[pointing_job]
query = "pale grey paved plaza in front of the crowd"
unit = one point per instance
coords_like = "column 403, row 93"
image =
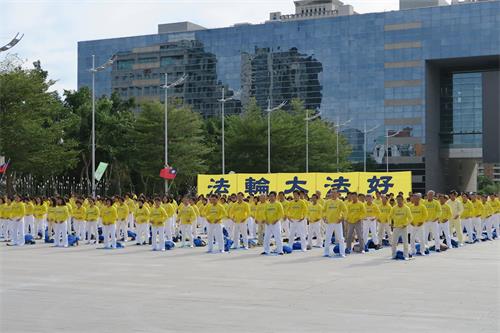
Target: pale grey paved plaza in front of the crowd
column 83, row 289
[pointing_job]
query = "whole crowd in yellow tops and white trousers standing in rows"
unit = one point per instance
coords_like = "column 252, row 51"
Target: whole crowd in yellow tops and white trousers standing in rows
column 340, row 224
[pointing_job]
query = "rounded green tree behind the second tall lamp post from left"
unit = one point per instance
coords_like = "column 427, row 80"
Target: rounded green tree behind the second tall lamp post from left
column 187, row 149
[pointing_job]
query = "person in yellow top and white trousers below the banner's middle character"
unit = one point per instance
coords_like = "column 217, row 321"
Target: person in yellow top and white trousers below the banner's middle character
column 296, row 212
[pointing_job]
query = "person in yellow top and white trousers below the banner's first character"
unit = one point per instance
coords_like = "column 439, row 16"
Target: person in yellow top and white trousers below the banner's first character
column 215, row 212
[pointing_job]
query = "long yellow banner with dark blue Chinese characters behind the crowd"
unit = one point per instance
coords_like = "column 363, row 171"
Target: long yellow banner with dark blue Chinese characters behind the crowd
column 361, row 182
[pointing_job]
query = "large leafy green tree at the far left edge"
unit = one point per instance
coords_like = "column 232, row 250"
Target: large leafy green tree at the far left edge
column 34, row 124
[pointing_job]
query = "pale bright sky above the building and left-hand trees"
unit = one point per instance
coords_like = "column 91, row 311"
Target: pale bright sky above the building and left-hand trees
column 52, row 28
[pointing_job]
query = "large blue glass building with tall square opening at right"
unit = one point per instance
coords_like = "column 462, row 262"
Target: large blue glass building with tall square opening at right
column 426, row 76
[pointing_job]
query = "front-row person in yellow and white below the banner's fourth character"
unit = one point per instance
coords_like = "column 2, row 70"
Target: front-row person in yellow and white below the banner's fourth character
column 334, row 212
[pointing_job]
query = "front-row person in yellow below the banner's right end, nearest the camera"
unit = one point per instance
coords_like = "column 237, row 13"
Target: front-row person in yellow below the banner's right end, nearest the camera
column 401, row 217
